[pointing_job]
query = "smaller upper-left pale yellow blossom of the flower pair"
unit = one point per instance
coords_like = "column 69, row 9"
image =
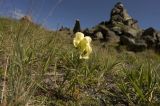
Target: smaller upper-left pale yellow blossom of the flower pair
column 78, row 37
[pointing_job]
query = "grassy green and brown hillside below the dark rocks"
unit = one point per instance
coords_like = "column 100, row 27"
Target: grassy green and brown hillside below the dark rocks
column 40, row 67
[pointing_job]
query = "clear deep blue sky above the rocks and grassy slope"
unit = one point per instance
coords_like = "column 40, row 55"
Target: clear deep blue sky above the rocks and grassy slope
column 54, row 13
